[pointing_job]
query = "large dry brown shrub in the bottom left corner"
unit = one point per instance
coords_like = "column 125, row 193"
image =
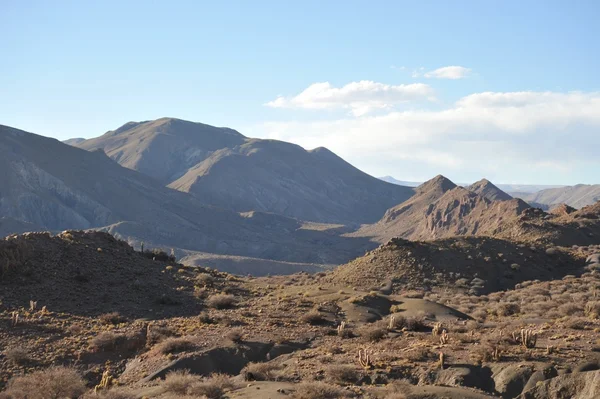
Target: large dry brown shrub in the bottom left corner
column 51, row 383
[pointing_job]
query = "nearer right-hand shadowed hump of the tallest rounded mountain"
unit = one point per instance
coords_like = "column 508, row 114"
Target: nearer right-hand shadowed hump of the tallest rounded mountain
column 283, row 178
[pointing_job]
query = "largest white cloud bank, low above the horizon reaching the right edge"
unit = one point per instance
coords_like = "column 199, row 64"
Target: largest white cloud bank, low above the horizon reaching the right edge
column 517, row 136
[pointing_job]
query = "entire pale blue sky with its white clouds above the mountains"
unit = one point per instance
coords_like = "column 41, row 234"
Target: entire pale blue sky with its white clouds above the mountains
column 369, row 80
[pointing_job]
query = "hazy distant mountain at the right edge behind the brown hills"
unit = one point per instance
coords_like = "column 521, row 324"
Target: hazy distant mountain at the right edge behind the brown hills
column 576, row 196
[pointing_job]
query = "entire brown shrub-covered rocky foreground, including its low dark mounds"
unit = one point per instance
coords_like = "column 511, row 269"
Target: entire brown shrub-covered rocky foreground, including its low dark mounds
column 85, row 315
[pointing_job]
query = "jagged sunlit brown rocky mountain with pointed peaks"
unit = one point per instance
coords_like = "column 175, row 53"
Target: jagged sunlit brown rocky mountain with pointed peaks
column 440, row 209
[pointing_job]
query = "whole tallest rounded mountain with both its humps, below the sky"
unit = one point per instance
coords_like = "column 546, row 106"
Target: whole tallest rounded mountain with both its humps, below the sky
column 221, row 167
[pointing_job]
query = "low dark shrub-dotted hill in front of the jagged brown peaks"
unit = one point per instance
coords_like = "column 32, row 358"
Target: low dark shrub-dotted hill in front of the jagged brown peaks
column 476, row 264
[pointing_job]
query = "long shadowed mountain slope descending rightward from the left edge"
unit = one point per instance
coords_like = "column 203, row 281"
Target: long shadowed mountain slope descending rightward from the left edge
column 57, row 187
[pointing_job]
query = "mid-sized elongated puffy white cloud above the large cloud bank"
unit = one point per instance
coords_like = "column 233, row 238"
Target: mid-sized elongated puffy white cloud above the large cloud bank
column 360, row 98
